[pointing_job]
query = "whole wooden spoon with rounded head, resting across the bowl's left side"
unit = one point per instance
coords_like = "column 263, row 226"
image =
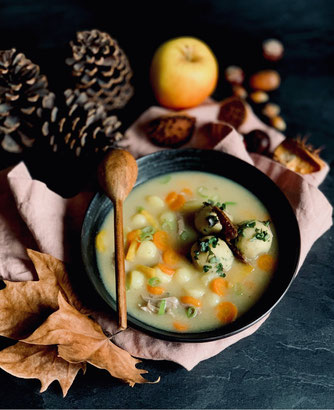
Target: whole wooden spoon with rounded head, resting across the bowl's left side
column 117, row 175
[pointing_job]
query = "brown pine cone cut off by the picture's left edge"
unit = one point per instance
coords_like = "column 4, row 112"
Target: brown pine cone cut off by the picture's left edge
column 22, row 89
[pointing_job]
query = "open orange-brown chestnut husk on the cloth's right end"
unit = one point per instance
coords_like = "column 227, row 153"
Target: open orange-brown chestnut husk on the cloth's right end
column 298, row 156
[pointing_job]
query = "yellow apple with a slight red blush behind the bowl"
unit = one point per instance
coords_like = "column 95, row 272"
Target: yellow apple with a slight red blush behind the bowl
column 183, row 73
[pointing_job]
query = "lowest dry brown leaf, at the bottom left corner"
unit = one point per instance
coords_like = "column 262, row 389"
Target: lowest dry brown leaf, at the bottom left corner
column 39, row 362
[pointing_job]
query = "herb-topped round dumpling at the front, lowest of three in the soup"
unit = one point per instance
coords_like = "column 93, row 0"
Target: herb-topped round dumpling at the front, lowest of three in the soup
column 211, row 254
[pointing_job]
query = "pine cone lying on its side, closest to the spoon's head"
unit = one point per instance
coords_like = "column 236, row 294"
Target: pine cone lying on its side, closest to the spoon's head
column 81, row 126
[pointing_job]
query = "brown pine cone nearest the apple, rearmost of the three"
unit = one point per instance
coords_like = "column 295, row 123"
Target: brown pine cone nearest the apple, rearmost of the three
column 101, row 68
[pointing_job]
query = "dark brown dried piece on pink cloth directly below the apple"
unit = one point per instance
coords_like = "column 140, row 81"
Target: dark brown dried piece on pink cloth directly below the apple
column 171, row 130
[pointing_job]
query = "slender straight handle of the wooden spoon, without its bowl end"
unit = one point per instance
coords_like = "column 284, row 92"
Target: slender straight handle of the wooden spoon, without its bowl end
column 120, row 266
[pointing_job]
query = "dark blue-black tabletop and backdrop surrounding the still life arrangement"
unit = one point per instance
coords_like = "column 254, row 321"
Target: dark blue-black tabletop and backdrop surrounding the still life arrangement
column 289, row 361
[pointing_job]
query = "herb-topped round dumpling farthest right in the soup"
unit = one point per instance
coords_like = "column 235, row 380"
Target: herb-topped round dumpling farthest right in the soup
column 254, row 237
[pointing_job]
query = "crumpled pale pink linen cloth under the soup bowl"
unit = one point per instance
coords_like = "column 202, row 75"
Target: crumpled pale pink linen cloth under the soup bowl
column 31, row 215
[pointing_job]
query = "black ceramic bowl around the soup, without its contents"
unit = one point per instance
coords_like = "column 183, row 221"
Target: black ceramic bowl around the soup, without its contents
column 215, row 162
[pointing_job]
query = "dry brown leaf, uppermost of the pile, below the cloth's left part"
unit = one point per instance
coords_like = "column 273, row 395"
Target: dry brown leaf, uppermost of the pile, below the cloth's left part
column 25, row 305
